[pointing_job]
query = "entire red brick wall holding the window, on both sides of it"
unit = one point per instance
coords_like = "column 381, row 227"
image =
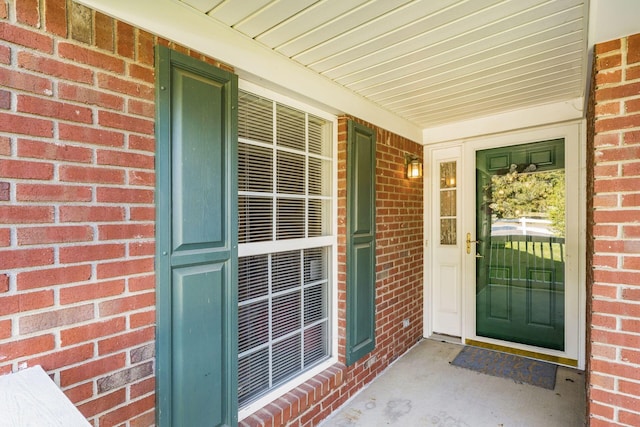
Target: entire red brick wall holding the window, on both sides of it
column 77, row 221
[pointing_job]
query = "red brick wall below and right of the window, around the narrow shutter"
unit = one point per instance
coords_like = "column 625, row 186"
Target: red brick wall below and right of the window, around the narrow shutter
column 399, row 296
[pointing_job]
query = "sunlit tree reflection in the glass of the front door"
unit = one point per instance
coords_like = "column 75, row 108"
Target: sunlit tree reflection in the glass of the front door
column 522, row 192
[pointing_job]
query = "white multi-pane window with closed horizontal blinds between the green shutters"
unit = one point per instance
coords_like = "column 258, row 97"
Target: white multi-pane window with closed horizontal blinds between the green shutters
column 287, row 241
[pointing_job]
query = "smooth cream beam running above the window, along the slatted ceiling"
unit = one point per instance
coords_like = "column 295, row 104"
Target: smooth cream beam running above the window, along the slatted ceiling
column 183, row 24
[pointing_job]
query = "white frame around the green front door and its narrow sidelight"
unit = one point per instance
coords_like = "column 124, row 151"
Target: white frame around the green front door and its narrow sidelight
column 575, row 297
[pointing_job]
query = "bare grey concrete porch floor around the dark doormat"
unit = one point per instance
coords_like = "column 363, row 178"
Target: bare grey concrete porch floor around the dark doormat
column 423, row 389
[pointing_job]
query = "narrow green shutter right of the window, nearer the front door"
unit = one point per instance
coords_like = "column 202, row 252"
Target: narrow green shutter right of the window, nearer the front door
column 361, row 241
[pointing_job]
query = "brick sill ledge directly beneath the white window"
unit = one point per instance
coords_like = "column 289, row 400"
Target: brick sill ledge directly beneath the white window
column 291, row 405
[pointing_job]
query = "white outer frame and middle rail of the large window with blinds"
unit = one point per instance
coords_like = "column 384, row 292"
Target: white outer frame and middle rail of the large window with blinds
column 330, row 240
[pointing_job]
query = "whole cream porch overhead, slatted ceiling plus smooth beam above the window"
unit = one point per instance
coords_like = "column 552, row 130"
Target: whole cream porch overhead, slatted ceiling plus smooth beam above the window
column 405, row 65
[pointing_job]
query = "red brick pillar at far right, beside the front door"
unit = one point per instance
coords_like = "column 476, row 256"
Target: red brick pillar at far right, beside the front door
column 614, row 363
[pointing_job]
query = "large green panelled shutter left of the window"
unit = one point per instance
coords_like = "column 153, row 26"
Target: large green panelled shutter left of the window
column 196, row 242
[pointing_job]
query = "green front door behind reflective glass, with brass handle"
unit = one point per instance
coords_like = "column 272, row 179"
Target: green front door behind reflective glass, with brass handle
column 520, row 231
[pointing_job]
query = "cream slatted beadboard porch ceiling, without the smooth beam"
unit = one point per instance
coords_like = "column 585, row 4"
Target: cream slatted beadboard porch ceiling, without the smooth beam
column 431, row 62
